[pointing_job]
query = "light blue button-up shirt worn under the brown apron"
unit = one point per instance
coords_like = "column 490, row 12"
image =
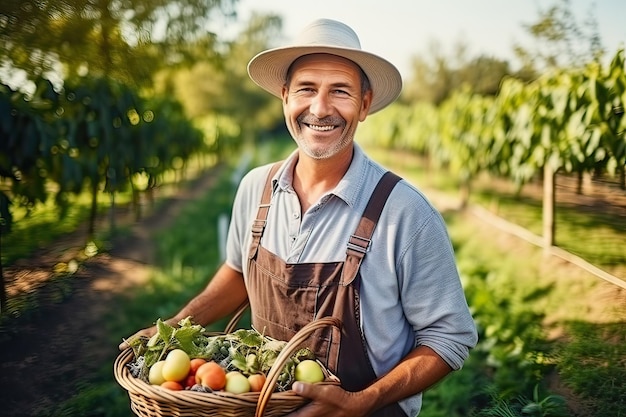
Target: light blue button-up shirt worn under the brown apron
column 411, row 293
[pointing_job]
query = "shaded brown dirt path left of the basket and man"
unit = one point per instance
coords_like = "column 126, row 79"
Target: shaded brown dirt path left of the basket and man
column 63, row 339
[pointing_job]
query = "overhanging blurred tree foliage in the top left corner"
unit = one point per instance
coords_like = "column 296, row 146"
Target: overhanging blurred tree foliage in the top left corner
column 127, row 40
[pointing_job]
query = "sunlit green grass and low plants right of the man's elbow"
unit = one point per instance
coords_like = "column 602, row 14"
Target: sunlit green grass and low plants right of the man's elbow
column 534, row 321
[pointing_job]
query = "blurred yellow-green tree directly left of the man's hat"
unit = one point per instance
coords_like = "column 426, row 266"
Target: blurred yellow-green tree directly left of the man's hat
column 218, row 92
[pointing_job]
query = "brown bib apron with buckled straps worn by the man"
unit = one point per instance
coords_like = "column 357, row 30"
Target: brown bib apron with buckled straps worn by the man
column 284, row 297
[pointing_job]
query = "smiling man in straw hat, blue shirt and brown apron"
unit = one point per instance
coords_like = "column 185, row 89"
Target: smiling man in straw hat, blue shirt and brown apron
column 305, row 241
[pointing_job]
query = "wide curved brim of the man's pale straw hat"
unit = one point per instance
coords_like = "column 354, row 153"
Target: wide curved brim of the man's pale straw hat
column 268, row 69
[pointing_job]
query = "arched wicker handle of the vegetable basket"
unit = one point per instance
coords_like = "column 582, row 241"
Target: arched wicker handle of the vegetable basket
column 296, row 341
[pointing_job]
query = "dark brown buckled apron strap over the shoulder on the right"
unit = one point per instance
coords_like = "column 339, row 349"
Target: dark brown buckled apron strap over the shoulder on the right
column 359, row 242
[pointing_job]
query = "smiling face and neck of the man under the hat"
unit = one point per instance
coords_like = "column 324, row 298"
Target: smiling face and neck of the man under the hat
column 323, row 103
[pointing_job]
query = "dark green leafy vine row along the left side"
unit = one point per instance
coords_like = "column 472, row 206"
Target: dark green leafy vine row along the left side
column 94, row 135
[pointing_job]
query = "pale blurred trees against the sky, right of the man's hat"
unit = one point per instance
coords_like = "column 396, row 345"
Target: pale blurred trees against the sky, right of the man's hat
column 559, row 40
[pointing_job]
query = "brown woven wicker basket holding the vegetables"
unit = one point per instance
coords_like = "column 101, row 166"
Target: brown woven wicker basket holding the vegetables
column 153, row 401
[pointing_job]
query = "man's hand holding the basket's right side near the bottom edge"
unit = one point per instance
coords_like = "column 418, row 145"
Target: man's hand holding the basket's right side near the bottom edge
column 330, row 400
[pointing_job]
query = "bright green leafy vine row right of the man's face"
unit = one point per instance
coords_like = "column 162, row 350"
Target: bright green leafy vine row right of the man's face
column 570, row 119
